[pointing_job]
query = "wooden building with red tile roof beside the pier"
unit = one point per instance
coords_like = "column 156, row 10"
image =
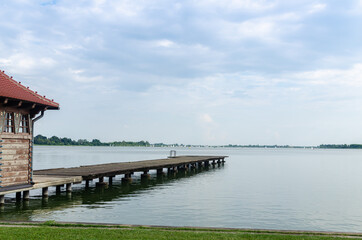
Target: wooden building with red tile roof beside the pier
column 19, row 109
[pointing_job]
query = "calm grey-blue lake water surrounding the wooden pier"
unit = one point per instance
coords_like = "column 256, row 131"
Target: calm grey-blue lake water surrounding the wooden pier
column 301, row 189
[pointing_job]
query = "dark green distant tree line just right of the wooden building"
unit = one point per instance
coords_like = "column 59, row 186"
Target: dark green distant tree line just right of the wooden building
column 42, row 140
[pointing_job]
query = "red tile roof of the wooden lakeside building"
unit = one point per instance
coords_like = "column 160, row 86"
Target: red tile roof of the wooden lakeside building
column 12, row 89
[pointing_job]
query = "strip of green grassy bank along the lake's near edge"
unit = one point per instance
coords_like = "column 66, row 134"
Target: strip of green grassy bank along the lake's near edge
column 52, row 230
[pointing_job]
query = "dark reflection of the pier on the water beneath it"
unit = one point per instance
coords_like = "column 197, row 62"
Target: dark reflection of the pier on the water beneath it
column 94, row 197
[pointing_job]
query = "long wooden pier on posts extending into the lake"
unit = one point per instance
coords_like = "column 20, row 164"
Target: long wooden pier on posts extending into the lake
column 58, row 177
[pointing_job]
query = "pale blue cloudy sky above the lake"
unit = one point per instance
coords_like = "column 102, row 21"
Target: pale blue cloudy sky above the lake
column 193, row 72
